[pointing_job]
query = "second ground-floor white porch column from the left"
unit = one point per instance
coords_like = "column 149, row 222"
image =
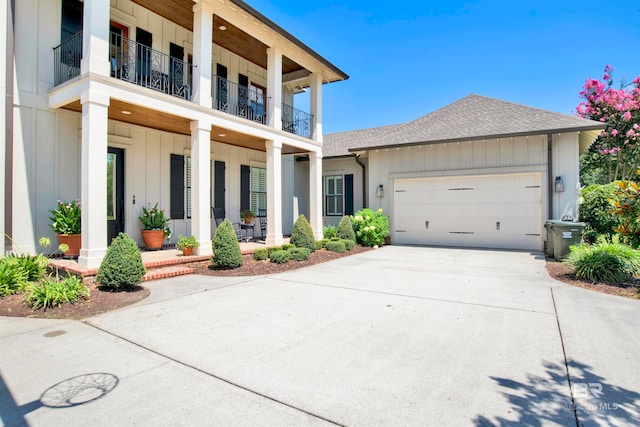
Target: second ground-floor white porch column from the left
column 200, row 187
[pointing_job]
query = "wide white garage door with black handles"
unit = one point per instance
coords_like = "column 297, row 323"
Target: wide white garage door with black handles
column 496, row 211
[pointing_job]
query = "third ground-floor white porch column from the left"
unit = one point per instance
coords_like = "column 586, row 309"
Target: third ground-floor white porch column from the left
column 274, row 193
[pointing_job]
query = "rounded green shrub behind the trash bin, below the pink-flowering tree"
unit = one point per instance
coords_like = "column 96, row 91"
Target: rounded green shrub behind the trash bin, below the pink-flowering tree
column 595, row 208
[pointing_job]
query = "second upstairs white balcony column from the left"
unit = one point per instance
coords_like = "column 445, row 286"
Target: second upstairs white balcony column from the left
column 202, row 36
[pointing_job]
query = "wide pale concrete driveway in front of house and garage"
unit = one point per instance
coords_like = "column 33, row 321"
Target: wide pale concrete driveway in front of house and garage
column 396, row 336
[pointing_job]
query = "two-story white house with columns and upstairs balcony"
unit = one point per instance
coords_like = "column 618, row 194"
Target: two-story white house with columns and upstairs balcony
column 127, row 103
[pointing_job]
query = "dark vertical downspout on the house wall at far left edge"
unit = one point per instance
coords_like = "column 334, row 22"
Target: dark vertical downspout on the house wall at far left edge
column 8, row 147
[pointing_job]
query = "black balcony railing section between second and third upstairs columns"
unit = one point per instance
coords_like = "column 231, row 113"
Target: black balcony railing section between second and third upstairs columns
column 238, row 100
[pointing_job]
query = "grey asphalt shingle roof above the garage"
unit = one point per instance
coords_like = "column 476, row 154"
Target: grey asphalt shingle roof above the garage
column 472, row 117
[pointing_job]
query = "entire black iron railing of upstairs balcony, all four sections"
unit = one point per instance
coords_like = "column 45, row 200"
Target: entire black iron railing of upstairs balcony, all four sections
column 139, row 64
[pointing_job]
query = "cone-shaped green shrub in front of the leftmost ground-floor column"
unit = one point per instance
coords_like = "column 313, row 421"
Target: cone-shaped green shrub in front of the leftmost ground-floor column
column 122, row 265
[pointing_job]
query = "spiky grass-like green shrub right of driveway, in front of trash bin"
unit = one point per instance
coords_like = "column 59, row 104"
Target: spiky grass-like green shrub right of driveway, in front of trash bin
column 604, row 261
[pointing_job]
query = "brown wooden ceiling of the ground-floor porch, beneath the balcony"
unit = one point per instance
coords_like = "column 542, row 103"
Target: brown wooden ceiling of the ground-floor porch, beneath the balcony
column 159, row 120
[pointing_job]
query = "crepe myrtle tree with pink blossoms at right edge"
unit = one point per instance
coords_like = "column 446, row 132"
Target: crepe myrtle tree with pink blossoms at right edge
column 615, row 154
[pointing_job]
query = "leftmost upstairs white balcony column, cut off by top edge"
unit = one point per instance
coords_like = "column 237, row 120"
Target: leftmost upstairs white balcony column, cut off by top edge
column 95, row 37
